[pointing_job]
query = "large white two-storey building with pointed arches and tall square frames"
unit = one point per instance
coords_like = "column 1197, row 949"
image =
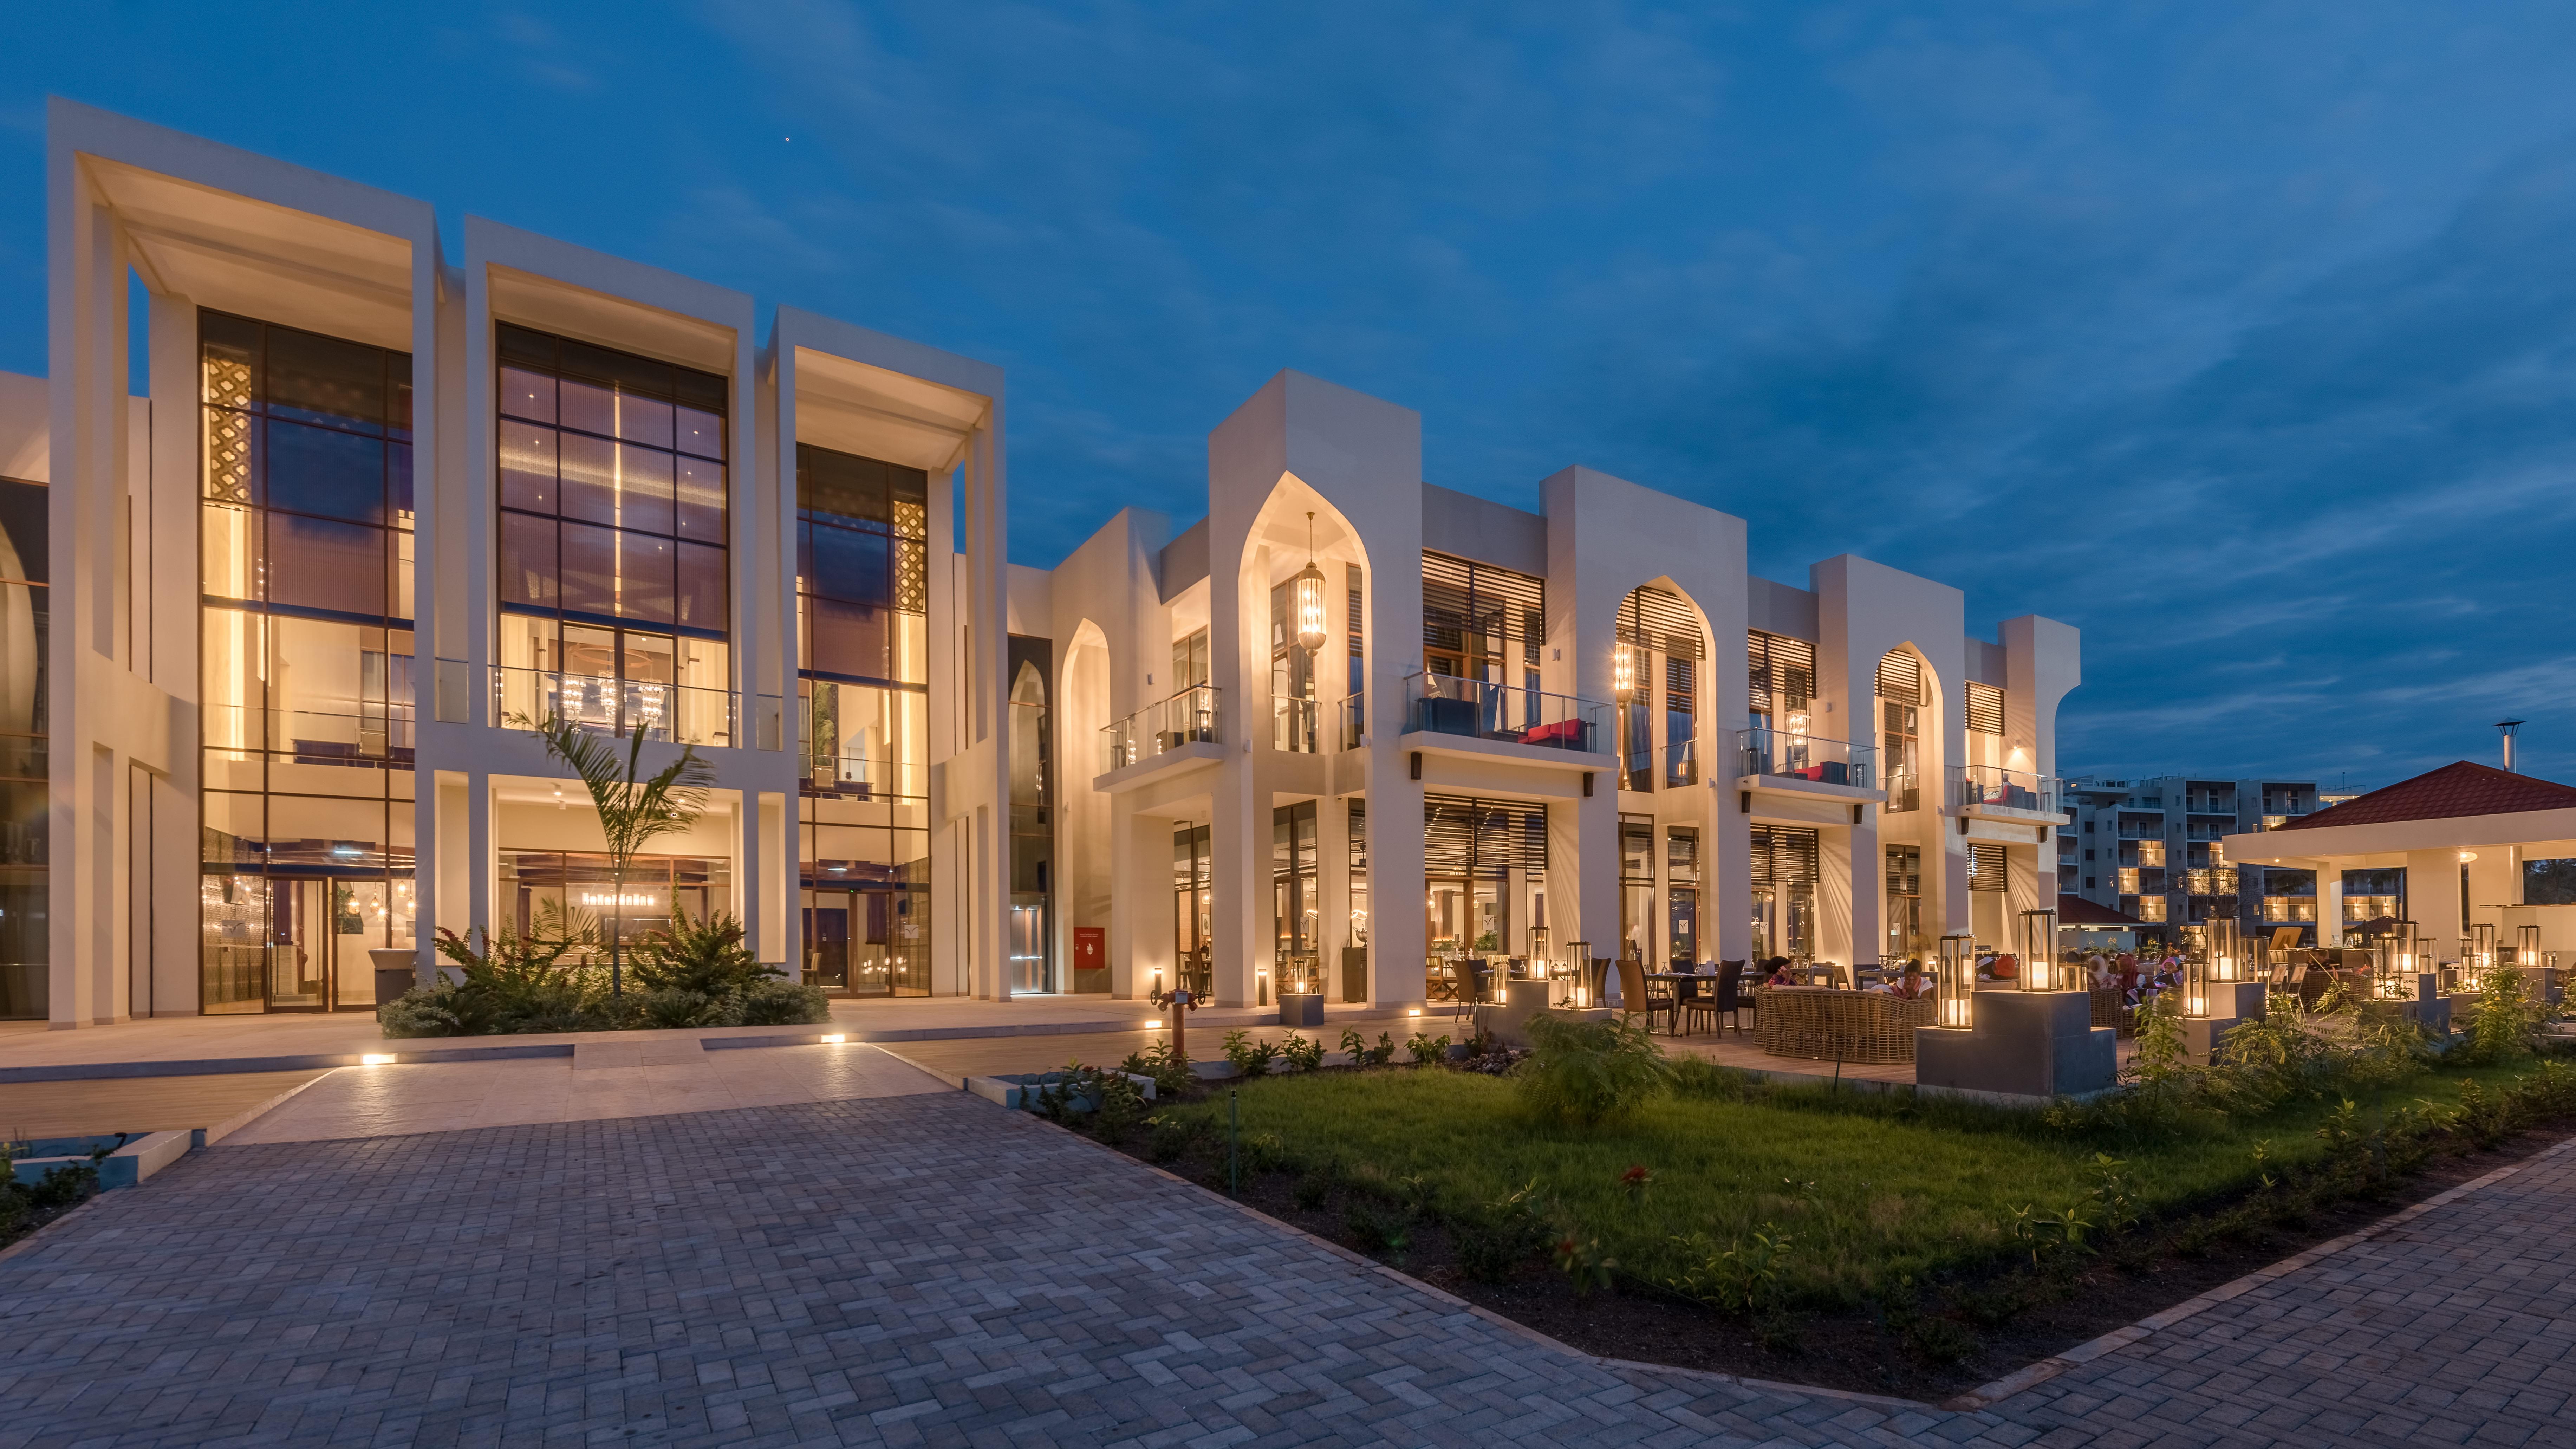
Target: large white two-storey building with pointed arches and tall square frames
column 267, row 628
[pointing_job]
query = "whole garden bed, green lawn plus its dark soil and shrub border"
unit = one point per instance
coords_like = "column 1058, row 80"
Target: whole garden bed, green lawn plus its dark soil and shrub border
column 1910, row 1265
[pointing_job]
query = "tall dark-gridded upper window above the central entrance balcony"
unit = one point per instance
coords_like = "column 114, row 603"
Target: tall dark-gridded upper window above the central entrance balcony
column 614, row 548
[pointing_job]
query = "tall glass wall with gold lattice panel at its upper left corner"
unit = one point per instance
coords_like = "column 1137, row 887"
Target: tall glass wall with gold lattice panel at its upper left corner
column 305, row 666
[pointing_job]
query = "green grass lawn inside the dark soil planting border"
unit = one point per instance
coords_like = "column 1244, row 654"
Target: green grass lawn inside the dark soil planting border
column 1869, row 1187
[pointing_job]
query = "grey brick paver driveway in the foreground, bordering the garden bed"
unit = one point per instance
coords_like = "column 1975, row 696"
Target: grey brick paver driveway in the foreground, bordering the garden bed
column 931, row 1272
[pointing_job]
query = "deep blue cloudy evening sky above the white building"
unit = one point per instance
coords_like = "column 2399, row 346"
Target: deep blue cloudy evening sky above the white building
column 2235, row 334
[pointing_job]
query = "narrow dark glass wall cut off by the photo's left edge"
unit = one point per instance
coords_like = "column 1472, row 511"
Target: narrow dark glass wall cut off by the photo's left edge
column 24, row 798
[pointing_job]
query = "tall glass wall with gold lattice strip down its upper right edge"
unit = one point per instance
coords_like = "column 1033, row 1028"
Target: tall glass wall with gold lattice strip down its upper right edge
column 864, row 700
